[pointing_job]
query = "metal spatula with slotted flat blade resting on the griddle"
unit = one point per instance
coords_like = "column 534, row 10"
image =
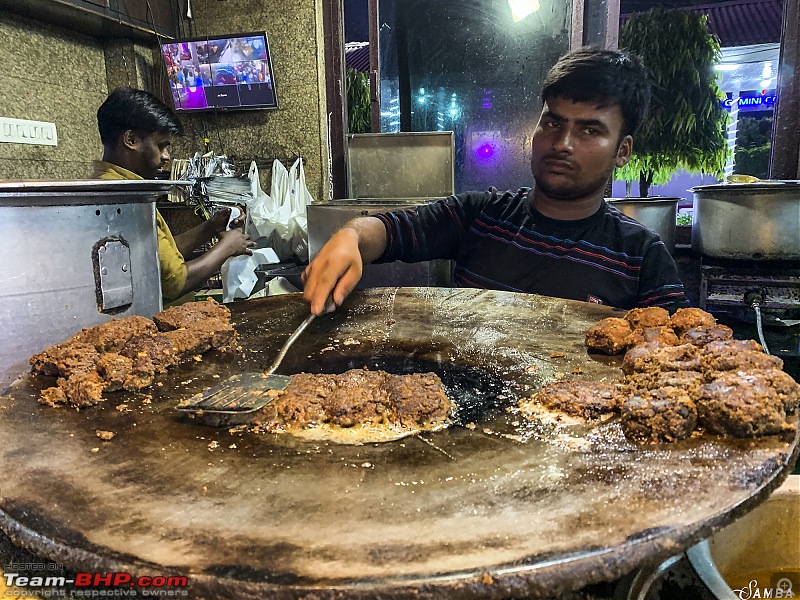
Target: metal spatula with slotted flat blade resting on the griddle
column 232, row 401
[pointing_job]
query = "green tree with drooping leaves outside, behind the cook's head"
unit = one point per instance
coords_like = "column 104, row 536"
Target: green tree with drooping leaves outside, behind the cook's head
column 686, row 125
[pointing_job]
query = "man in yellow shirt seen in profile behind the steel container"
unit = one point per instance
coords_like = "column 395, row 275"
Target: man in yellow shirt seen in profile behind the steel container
column 136, row 129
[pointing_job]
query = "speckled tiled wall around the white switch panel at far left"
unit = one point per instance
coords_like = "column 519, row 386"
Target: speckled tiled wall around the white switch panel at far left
column 55, row 75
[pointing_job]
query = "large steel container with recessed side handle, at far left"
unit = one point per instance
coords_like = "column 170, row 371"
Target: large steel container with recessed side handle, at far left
column 74, row 254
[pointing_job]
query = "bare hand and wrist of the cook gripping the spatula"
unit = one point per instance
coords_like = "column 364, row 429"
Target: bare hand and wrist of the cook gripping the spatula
column 338, row 266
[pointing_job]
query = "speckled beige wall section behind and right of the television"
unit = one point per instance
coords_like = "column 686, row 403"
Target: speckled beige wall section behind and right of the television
column 294, row 28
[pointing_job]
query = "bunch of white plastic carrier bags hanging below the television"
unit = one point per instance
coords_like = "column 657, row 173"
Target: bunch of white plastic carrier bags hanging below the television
column 279, row 220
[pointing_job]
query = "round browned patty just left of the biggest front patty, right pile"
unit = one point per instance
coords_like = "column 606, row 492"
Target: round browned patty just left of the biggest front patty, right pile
column 659, row 415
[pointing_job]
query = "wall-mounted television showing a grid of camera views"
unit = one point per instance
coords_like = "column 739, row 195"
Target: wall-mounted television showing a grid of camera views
column 221, row 72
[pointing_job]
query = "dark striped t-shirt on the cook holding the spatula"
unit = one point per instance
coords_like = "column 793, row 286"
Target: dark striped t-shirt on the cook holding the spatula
column 500, row 242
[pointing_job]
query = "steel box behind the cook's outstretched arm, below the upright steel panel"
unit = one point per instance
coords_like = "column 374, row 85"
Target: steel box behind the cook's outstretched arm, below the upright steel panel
column 324, row 218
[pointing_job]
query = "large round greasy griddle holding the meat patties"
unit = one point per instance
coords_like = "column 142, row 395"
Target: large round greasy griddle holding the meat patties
column 504, row 508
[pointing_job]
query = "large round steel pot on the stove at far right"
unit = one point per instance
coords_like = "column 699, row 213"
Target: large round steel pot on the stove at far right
column 747, row 220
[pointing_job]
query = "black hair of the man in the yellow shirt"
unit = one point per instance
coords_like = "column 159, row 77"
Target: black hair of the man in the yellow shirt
column 137, row 110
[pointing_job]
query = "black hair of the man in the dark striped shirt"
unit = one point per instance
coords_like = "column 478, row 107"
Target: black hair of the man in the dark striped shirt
column 605, row 78
